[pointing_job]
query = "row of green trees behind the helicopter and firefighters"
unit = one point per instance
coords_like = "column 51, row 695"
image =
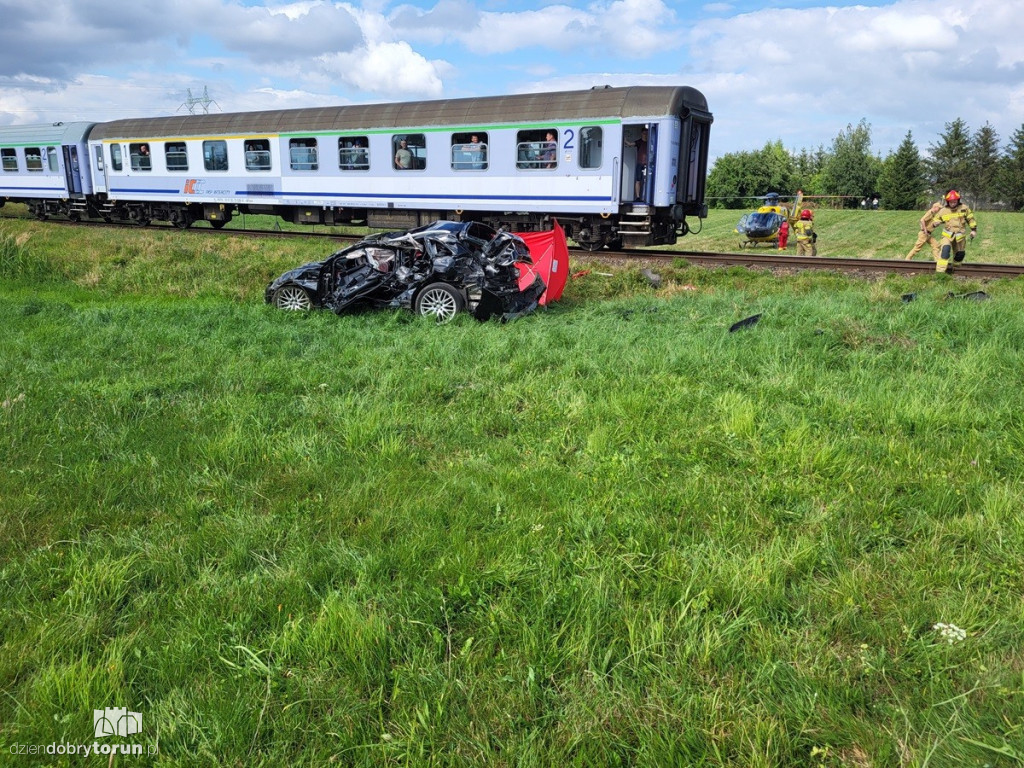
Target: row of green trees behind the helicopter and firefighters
column 987, row 177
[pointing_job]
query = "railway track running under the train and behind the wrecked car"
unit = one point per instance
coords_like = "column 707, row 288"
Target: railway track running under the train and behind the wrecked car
column 704, row 259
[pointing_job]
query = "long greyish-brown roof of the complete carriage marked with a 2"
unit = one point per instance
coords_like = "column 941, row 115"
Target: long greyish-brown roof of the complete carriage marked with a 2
column 635, row 102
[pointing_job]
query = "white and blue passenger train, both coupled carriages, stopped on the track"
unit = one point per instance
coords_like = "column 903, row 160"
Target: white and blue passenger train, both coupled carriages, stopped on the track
column 515, row 161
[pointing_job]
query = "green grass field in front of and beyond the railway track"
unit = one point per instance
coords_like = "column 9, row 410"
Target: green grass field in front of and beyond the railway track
column 610, row 534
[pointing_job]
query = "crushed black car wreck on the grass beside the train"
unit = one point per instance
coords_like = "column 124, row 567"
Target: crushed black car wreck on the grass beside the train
column 439, row 271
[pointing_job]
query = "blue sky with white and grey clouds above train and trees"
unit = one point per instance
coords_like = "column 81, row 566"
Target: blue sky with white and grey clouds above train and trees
column 798, row 72
